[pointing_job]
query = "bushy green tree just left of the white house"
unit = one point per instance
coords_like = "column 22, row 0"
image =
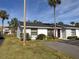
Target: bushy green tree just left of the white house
column 13, row 24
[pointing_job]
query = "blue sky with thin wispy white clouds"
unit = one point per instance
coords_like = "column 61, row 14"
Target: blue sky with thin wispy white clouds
column 39, row 10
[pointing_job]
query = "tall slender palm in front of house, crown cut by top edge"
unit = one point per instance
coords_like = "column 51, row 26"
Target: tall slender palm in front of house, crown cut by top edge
column 54, row 3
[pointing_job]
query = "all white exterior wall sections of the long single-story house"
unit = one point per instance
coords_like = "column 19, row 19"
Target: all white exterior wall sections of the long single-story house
column 44, row 31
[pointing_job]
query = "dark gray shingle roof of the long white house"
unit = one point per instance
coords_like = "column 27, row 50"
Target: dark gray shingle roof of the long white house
column 44, row 24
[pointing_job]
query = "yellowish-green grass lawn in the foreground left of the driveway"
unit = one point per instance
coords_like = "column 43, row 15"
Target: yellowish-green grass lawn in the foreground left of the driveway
column 12, row 48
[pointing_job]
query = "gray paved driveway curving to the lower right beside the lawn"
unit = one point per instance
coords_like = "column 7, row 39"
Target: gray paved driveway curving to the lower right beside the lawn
column 70, row 50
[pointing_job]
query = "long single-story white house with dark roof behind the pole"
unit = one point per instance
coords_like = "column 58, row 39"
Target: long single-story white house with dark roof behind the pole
column 34, row 29
